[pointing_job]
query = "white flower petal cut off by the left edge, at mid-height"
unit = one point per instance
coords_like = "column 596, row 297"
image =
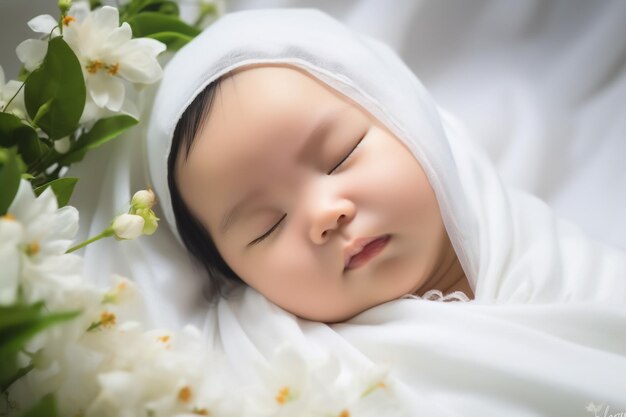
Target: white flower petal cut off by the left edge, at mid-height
column 10, row 237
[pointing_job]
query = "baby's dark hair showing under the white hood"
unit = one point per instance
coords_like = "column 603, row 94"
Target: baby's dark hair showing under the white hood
column 194, row 235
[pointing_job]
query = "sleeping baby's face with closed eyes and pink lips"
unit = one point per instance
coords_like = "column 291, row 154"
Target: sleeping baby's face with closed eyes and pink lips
column 309, row 199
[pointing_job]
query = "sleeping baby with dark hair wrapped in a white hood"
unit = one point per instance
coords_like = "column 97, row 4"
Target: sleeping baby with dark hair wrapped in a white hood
column 306, row 161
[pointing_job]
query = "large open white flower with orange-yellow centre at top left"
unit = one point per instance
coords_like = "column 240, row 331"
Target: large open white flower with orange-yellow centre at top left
column 108, row 54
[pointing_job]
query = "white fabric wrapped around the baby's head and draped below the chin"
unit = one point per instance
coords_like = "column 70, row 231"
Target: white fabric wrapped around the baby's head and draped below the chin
column 545, row 335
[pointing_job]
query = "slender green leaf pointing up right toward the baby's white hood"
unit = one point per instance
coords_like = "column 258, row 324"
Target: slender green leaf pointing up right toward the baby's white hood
column 102, row 131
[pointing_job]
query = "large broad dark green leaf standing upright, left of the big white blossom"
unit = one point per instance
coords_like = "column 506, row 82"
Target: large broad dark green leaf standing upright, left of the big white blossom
column 58, row 81
